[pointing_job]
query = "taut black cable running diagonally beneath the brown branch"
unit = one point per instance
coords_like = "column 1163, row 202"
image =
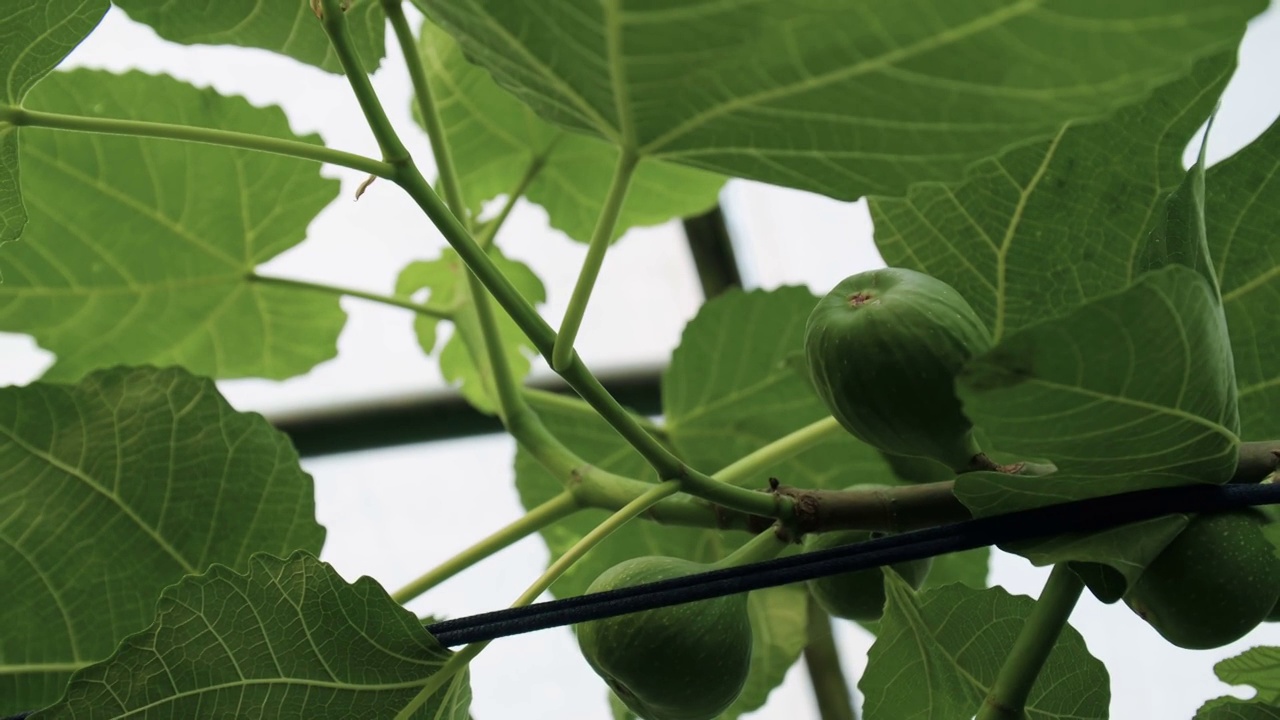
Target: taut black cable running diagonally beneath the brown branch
column 1085, row 516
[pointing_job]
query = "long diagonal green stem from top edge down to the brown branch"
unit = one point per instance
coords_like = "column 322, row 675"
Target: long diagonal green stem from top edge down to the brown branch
column 524, row 315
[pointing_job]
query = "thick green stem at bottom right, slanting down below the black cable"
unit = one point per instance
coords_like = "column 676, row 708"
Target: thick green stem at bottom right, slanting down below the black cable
column 1008, row 698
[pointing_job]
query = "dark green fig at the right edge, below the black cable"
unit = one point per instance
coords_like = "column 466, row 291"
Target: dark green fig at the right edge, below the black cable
column 1218, row 581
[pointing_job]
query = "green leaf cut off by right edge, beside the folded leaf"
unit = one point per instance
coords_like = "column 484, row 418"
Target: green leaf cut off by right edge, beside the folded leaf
column 1244, row 216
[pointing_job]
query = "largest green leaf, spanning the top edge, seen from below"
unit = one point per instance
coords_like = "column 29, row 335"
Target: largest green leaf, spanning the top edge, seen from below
column 840, row 97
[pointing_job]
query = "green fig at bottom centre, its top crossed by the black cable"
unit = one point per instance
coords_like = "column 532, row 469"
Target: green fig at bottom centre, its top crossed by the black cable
column 682, row 663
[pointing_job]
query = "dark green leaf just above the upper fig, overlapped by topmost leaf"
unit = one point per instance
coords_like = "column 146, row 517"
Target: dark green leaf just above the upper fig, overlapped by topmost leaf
column 1048, row 227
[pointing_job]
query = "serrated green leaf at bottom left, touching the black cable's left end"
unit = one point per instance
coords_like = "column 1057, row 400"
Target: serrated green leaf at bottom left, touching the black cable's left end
column 287, row 640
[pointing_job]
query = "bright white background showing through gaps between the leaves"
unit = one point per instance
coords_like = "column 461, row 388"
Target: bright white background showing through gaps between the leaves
column 386, row 512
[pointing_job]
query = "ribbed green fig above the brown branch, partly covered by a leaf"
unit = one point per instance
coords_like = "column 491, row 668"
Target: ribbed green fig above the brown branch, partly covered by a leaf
column 884, row 349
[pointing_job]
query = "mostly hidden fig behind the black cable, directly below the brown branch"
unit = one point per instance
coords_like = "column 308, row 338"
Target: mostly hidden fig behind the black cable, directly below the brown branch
column 858, row 595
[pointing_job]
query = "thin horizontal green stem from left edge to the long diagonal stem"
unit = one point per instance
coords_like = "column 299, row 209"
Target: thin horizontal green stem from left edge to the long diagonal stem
column 22, row 117
